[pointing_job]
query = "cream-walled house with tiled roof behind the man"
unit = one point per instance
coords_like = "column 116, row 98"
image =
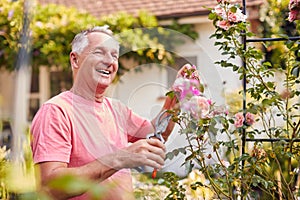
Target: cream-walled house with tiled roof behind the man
column 143, row 91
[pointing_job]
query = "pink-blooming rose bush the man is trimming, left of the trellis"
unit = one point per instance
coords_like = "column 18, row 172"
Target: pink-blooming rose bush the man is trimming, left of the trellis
column 200, row 119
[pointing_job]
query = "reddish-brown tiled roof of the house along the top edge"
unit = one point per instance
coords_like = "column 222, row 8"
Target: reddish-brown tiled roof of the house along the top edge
column 162, row 9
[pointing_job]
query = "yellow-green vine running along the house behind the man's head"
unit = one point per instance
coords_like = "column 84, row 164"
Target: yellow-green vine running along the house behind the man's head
column 53, row 28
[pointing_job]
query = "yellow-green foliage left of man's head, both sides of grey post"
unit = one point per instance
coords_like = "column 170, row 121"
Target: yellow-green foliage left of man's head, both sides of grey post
column 52, row 28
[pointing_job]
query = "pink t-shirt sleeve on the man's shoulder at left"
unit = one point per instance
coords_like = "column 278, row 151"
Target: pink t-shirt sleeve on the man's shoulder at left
column 51, row 139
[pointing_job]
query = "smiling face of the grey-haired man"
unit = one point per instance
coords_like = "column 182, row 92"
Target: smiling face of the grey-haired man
column 98, row 63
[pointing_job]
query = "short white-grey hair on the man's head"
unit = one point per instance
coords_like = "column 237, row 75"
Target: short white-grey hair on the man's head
column 80, row 40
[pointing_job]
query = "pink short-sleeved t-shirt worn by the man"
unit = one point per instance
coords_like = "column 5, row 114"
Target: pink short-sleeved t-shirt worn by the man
column 74, row 130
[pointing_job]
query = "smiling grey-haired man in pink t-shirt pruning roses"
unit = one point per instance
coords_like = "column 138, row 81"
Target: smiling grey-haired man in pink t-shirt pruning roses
column 82, row 132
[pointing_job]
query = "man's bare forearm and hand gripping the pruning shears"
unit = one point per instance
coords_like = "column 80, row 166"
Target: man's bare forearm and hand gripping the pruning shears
column 146, row 152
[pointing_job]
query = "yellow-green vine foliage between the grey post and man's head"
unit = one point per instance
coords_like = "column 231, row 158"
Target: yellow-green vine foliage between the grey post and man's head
column 53, row 28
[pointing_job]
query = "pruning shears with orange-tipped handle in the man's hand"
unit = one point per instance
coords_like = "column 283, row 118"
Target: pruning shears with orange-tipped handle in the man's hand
column 161, row 125
